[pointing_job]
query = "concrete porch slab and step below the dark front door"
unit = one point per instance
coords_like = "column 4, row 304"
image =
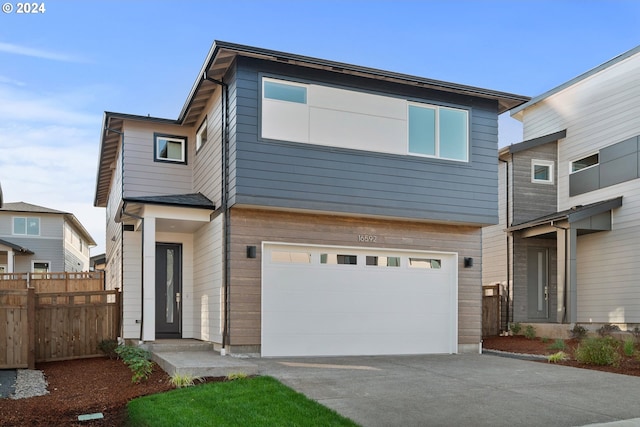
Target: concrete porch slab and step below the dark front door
column 200, row 363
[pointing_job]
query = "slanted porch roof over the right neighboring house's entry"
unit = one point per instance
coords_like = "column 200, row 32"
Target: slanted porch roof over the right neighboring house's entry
column 586, row 219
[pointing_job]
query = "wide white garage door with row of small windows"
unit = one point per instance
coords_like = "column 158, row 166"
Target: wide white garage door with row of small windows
column 323, row 301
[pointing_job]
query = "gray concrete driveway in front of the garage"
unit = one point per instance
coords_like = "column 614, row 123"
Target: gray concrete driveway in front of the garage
column 459, row 390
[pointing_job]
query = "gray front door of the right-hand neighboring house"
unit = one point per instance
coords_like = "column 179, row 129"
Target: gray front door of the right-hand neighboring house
column 538, row 283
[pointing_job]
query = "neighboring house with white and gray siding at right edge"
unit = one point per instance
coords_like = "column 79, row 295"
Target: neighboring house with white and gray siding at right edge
column 571, row 190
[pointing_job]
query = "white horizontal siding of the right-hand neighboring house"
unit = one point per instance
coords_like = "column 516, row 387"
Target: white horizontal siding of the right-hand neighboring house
column 598, row 112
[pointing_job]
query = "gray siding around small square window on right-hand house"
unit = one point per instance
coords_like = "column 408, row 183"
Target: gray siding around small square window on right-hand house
column 533, row 200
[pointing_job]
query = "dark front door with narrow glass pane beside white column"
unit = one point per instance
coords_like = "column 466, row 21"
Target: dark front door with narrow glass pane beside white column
column 168, row 290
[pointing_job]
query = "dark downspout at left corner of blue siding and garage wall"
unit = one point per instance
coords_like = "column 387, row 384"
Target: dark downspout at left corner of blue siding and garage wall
column 226, row 230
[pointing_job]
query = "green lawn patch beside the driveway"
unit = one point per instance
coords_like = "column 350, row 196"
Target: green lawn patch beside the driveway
column 259, row 401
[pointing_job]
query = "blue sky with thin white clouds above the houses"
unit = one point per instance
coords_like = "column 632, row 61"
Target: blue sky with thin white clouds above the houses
column 61, row 69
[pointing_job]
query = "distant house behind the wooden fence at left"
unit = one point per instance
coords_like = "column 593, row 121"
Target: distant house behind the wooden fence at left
column 38, row 240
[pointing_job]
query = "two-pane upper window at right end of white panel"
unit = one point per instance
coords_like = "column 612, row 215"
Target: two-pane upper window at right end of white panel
column 438, row 132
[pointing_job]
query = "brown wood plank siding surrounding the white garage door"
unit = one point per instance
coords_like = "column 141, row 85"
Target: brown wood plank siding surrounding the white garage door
column 251, row 227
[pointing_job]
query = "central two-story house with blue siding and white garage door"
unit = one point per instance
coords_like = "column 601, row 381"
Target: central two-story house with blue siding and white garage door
column 299, row 206
